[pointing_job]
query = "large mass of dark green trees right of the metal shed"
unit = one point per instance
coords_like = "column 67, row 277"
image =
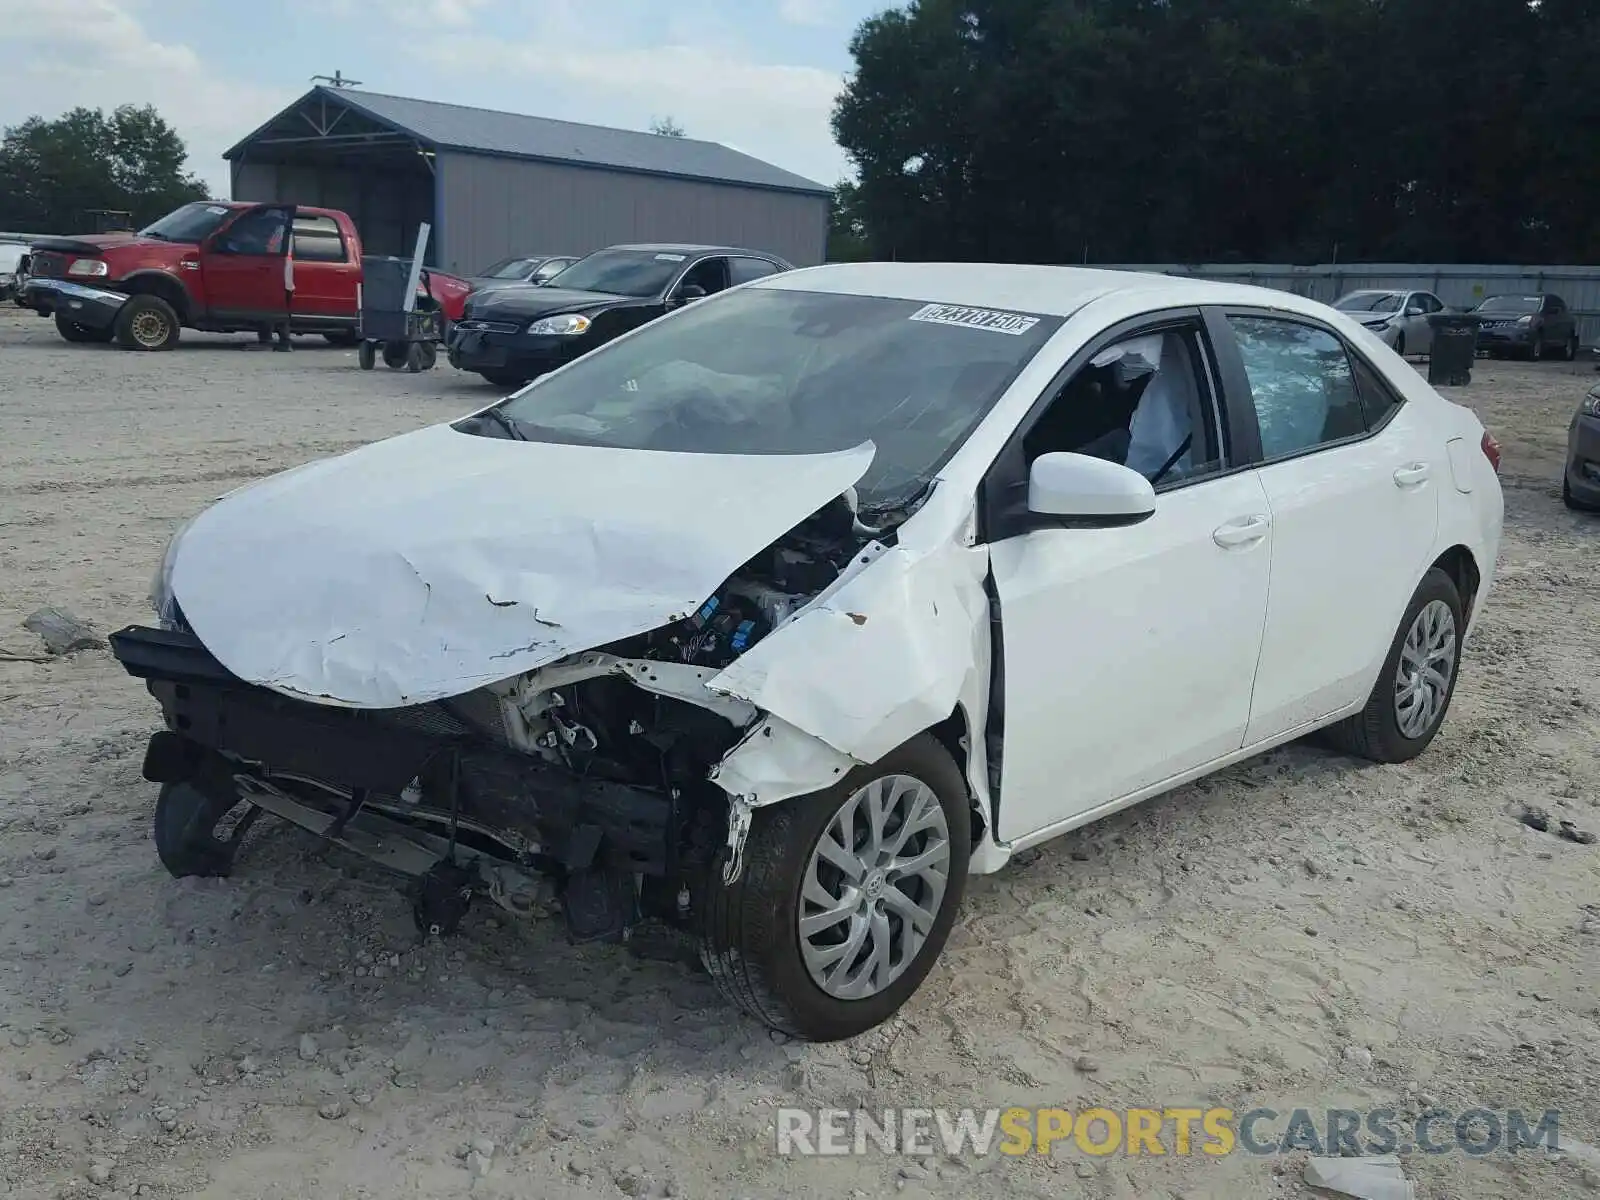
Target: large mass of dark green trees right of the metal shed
column 1214, row 130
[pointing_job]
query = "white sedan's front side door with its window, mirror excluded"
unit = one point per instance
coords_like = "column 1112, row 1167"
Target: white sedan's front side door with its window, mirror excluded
column 1129, row 654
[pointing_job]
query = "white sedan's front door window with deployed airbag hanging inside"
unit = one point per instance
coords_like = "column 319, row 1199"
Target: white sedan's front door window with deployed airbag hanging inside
column 1145, row 402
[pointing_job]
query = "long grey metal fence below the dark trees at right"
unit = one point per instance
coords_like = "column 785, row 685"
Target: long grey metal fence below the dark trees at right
column 1460, row 286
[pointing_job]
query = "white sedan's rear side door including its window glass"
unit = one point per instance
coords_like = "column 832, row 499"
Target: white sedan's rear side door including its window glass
column 1353, row 482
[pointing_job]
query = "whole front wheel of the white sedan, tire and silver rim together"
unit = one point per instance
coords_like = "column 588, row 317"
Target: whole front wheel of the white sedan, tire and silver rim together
column 831, row 926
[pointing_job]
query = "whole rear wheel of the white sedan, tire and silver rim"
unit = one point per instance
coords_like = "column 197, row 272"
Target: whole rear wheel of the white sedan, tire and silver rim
column 1417, row 682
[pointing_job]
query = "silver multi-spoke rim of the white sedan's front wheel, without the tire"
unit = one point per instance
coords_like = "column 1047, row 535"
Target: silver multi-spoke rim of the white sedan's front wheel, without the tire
column 874, row 887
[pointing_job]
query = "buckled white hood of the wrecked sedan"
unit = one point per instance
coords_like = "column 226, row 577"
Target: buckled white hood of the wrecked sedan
column 438, row 562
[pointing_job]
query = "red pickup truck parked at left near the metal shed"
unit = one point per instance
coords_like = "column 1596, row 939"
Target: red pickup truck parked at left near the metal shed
column 214, row 266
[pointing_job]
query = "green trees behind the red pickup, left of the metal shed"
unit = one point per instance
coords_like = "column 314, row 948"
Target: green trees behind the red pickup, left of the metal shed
column 55, row 172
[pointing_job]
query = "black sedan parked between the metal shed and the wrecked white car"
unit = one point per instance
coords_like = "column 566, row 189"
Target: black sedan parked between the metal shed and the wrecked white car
column 516, row 334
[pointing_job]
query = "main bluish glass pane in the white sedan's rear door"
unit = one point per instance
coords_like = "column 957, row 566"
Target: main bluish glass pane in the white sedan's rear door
column 1302, row 385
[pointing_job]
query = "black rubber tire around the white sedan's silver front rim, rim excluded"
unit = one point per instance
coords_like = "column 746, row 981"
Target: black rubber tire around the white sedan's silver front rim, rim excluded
column 750, row 935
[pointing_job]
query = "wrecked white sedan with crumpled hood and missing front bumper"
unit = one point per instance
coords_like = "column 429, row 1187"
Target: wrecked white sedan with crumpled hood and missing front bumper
column 777, row 618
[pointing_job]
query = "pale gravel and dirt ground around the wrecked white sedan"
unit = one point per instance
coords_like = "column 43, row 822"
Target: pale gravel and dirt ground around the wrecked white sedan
column 1297, row 932
